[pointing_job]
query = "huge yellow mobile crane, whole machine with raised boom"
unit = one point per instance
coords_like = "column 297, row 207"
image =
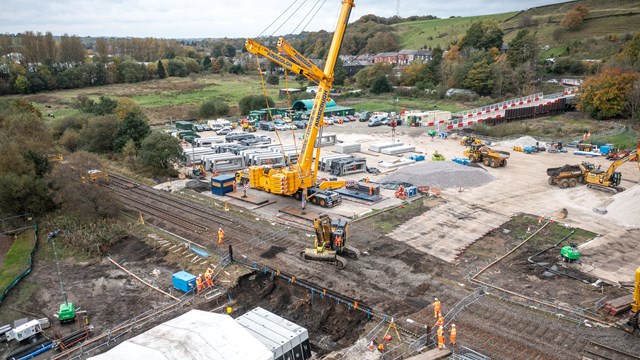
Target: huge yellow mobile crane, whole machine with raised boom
column 300, row 179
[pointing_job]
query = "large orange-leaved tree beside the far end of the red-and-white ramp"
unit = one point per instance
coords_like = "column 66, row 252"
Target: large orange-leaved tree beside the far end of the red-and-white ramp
column 606, row 95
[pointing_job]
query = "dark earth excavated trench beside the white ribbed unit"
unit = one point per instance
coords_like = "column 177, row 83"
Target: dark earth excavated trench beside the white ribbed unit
column 331, row 326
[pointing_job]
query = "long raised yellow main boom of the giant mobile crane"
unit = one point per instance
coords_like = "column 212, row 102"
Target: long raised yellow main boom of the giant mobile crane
column 322, row 96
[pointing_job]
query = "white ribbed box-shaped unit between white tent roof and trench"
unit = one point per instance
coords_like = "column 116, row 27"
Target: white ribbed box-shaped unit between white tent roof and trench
column 287, row 340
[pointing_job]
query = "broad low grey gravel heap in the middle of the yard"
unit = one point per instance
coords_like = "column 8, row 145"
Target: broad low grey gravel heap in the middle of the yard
column 443, row 175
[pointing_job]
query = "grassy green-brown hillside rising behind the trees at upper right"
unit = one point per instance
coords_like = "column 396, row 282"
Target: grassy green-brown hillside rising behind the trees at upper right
column 599, row 36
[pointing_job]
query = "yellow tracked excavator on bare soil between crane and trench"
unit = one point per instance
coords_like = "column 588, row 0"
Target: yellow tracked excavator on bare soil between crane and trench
column 330, row 242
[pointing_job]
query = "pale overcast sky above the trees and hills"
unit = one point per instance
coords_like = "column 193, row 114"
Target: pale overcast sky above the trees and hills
column 216, row 18
